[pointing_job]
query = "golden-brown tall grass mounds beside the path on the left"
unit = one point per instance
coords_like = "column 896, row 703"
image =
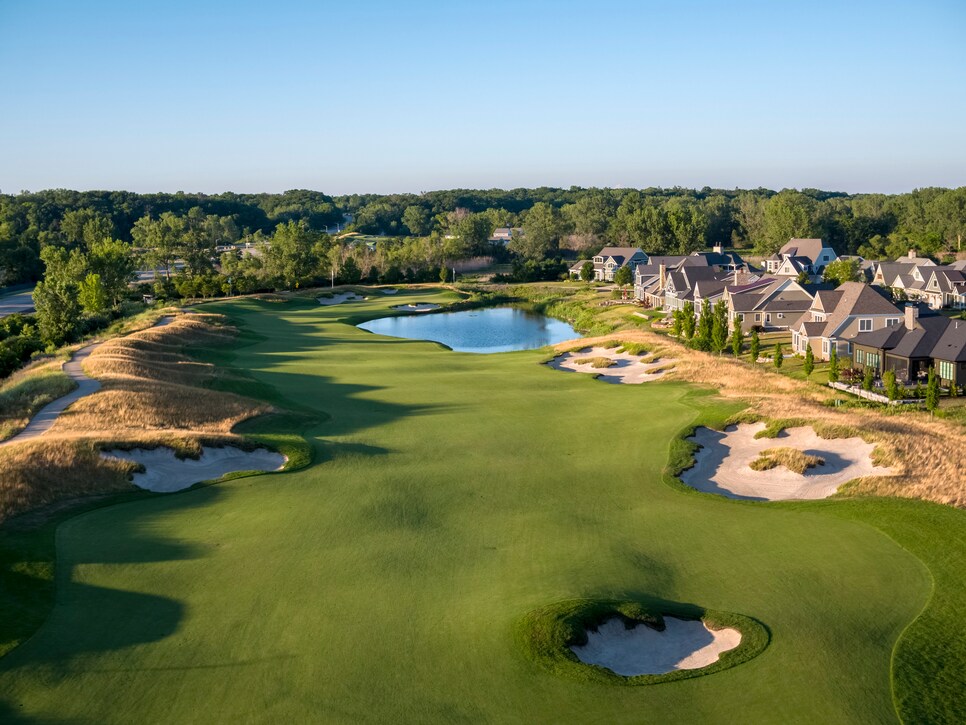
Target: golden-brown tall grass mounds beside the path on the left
column 153, row 393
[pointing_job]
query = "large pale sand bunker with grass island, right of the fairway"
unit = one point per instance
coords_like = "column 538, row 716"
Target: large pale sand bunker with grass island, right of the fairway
column 723, row 464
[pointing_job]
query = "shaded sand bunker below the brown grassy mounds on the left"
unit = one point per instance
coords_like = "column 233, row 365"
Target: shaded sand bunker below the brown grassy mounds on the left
column 164, row 472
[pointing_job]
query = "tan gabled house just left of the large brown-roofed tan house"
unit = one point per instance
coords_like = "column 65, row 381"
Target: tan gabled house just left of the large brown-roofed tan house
column 772, row 303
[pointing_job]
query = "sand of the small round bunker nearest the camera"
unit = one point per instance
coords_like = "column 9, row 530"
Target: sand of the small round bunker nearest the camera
column 685, row 644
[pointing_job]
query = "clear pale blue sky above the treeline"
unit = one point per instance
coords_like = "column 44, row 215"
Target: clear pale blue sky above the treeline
column 357, row 96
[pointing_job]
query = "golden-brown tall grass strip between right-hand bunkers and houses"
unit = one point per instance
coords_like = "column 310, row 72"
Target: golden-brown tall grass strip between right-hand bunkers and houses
column 926, row 454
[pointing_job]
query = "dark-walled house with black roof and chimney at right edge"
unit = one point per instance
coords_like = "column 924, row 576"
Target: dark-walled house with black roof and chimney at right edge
column 910, row 349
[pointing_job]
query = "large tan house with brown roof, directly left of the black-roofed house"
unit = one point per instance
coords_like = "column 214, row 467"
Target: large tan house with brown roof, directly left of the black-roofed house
column 836, row 316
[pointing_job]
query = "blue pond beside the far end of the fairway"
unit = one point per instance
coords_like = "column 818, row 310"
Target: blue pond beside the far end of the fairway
column 495, row 329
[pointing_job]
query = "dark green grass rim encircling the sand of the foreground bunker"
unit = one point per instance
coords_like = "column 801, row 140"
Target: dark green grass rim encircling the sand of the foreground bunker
column 547, row 634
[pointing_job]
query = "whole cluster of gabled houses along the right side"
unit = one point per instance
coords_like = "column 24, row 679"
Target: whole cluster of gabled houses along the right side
column 887, row 322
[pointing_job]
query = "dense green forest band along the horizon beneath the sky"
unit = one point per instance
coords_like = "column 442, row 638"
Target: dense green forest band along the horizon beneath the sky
column 659, row 220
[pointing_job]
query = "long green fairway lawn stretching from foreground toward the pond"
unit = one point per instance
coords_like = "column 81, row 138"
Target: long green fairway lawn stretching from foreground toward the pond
column 450, row 495
